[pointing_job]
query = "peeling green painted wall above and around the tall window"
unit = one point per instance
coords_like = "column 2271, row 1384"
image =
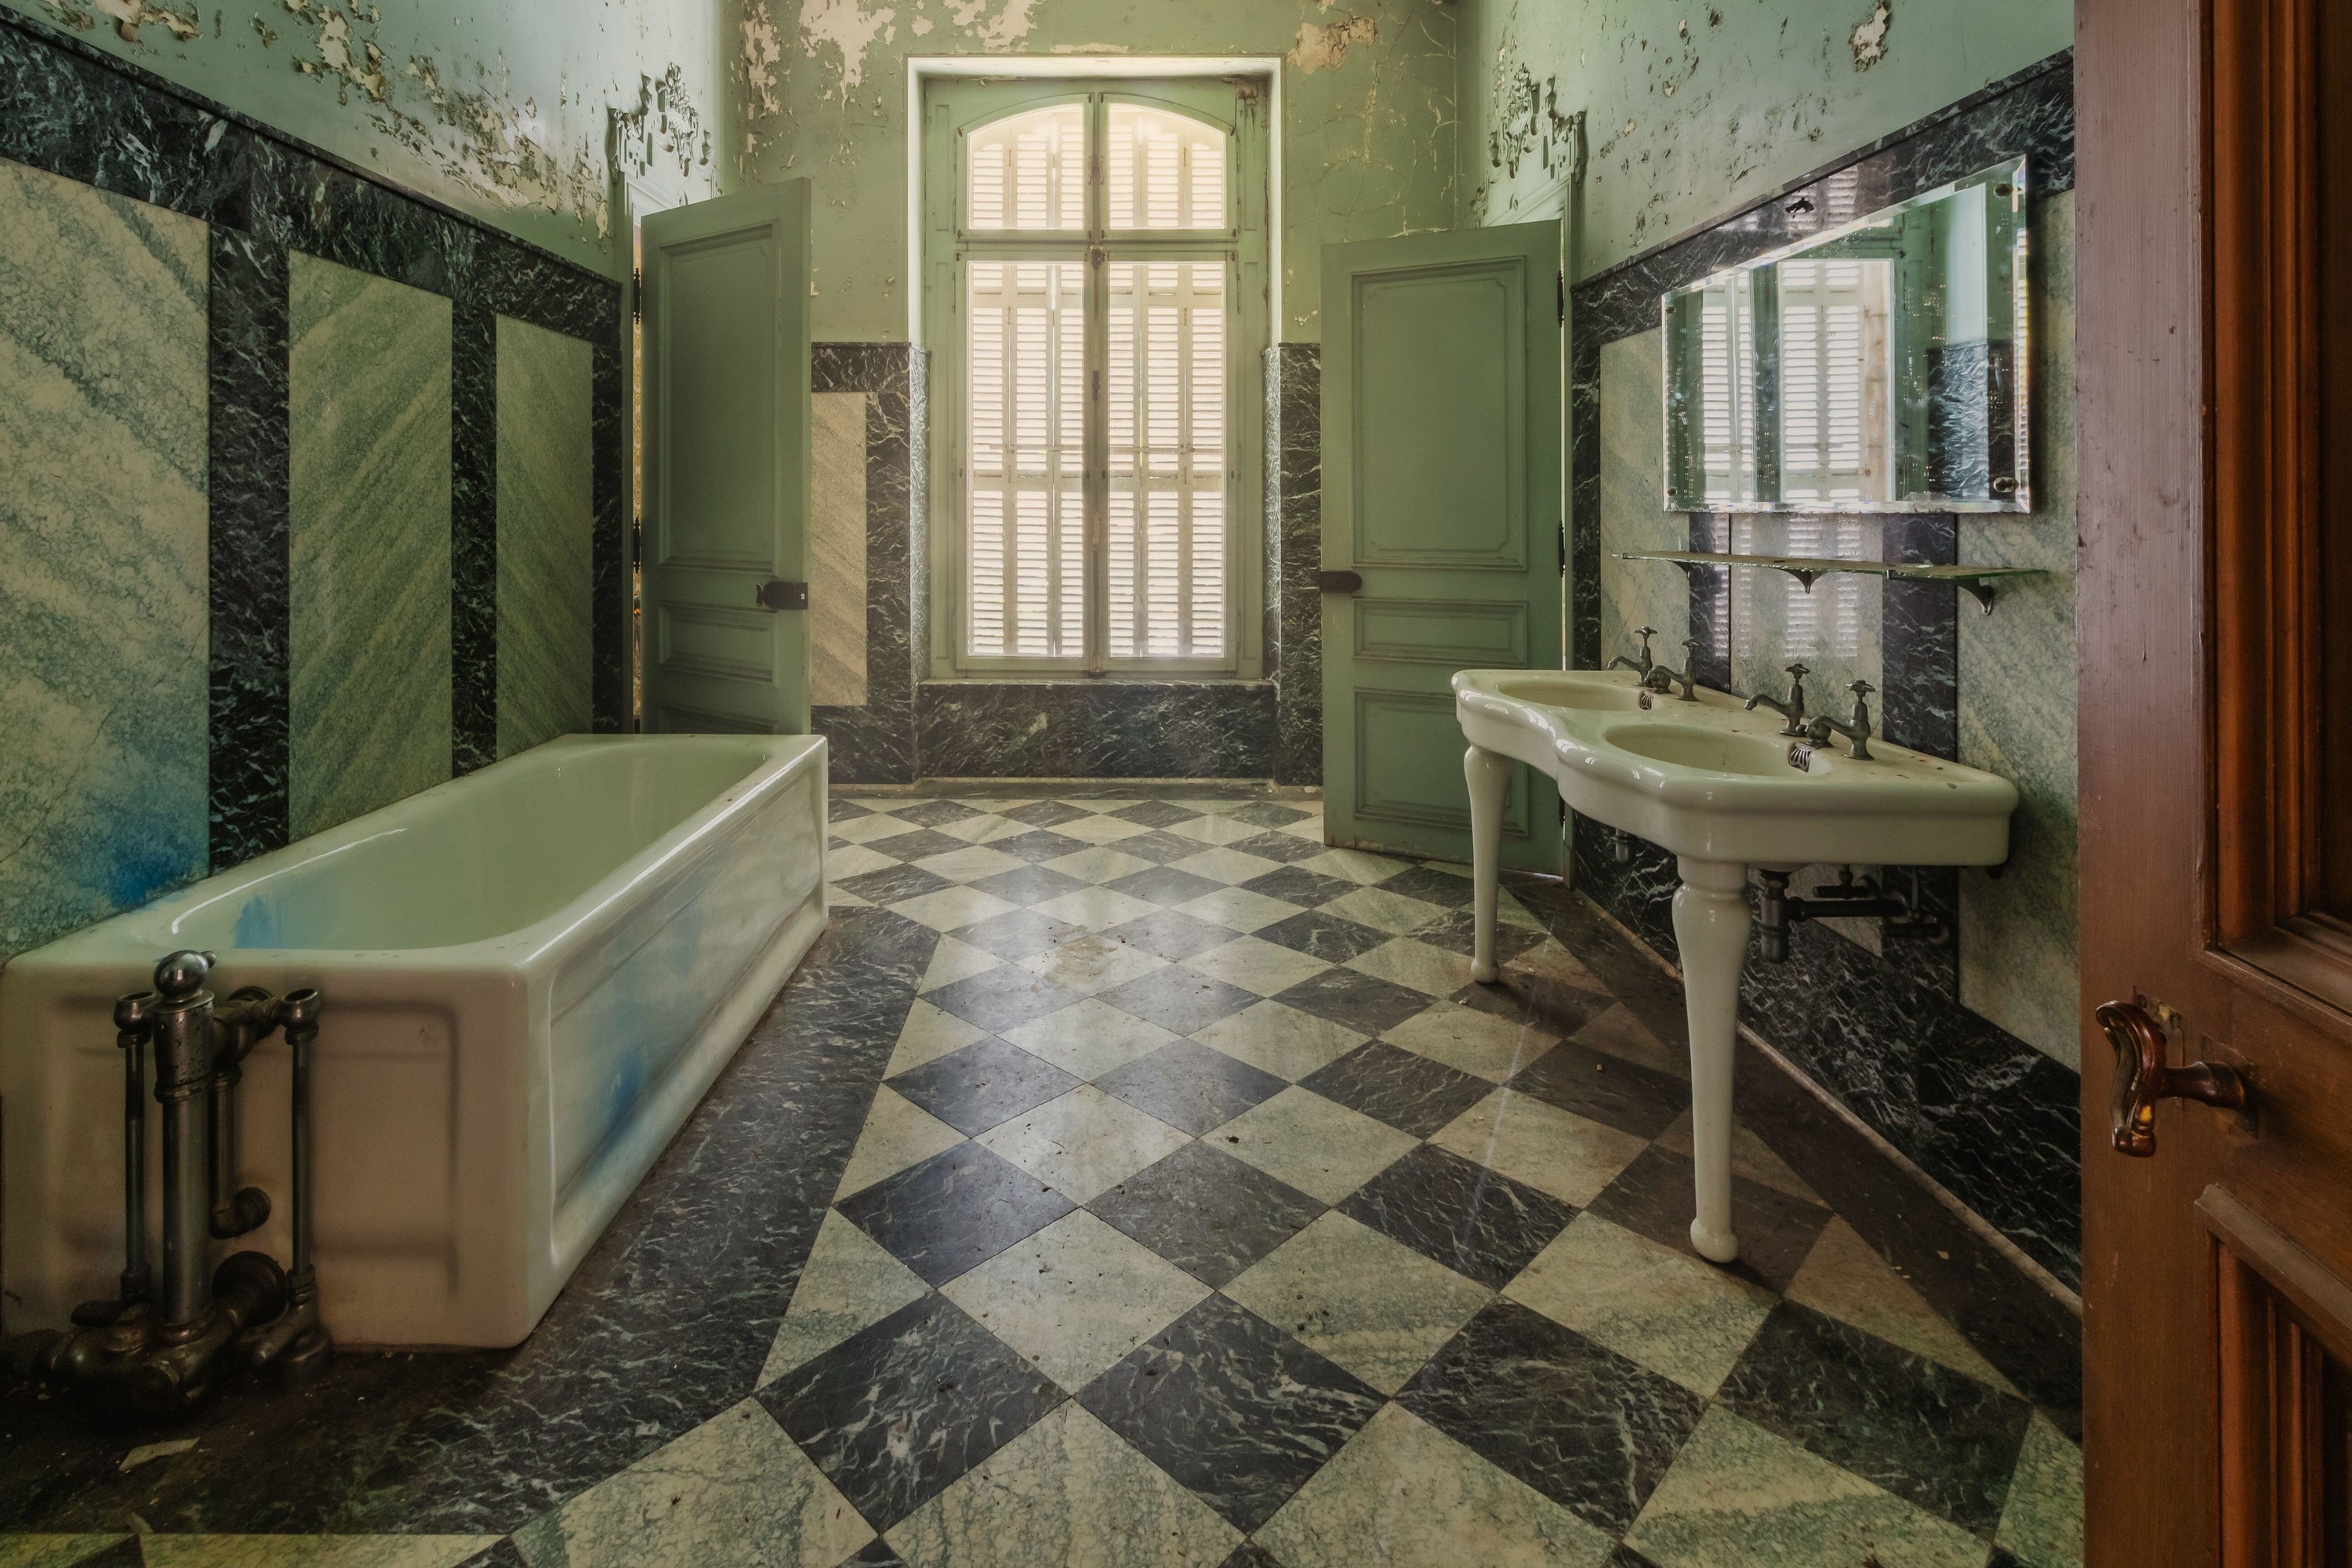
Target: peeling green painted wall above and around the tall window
column 820, row 88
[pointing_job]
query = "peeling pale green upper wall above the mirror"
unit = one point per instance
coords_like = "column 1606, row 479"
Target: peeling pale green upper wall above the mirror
column 1699, row 107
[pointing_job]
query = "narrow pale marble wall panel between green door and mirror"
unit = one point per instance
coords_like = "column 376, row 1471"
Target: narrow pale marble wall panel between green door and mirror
column 1633, row 514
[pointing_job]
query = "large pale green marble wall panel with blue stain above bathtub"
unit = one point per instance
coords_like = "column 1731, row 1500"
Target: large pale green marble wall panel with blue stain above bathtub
column 102, row 554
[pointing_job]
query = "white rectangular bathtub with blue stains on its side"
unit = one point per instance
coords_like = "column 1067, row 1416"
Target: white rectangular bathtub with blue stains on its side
column 530, row 977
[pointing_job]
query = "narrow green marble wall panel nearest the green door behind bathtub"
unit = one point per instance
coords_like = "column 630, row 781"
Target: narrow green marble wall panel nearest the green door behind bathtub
column 547, row 518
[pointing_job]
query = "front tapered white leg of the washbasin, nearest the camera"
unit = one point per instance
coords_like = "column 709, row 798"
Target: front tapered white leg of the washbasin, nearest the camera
column 1711, row 927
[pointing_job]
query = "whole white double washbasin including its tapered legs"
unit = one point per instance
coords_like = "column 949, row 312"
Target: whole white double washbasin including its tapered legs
column 1725, row 791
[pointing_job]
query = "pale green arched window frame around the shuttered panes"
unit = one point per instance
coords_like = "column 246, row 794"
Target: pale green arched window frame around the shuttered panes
column 951, row 112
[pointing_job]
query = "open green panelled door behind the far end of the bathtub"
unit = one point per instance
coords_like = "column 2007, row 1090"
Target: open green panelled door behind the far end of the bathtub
column 726, row 624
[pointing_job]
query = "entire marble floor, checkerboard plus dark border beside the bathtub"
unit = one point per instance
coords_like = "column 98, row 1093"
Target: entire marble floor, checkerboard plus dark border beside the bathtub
column 1205, row 1214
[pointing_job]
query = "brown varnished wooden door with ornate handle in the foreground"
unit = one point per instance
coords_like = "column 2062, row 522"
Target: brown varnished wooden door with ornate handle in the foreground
column 2217, row 728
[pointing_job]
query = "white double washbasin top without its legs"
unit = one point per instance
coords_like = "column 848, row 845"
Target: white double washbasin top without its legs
column 1713, row 782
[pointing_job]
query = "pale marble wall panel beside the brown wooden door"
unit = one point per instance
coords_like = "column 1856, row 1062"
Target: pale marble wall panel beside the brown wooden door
column 2017, row 697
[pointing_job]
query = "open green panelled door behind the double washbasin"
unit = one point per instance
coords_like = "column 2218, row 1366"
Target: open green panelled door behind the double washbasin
column 1443, row 492
